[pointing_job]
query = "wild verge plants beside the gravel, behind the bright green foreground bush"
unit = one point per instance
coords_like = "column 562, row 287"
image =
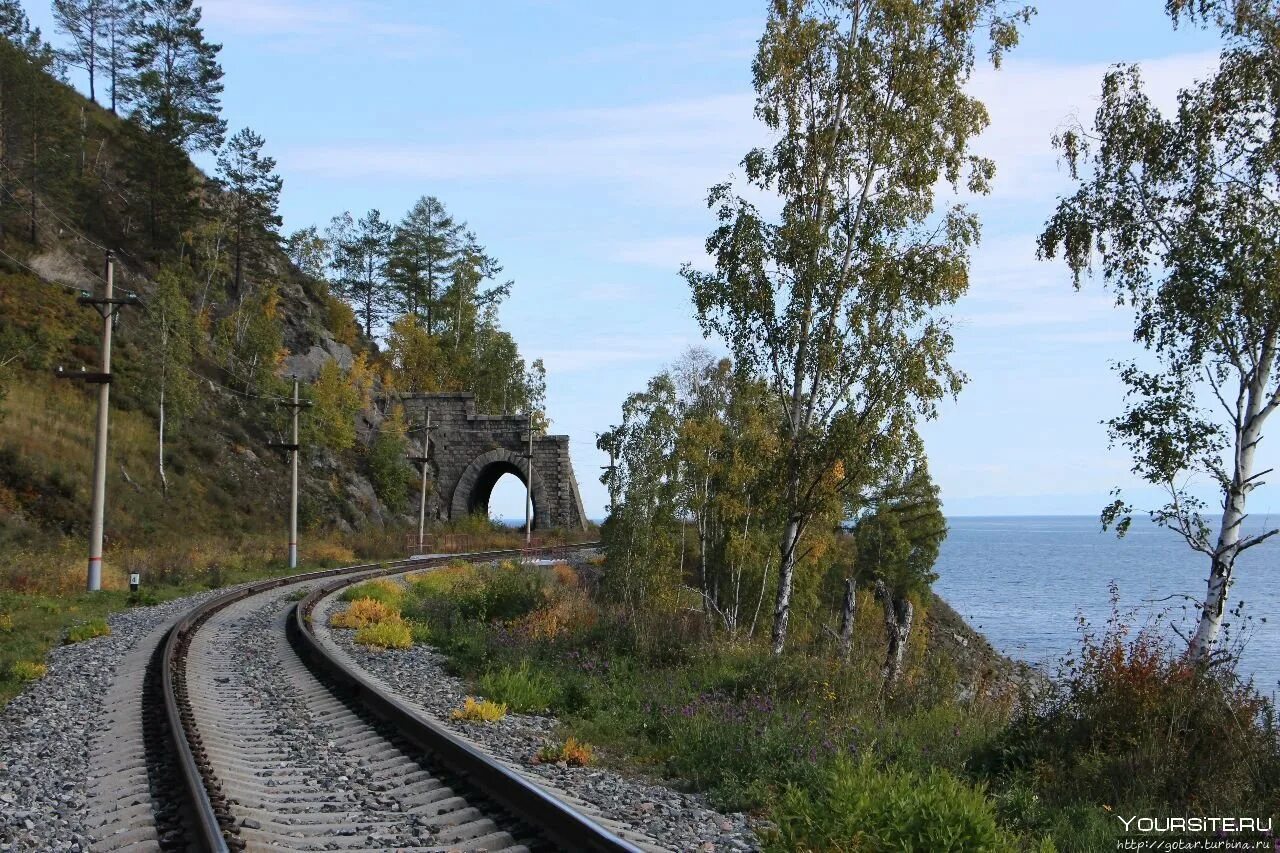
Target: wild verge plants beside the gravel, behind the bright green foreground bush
column 651, row 691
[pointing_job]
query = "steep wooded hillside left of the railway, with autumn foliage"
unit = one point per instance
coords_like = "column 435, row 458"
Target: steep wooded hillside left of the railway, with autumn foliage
column 228, row 318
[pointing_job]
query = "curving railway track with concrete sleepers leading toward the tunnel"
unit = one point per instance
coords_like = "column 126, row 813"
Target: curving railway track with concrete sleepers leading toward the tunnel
column 259, row 738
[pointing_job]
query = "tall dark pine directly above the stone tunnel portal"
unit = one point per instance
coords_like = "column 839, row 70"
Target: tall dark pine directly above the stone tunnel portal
column 422, row 261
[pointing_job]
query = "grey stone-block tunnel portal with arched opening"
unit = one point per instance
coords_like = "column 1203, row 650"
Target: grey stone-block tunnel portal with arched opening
column 470, row 453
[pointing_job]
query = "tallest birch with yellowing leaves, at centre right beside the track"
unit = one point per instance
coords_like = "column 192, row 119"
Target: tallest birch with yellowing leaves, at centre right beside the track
column 835, row 302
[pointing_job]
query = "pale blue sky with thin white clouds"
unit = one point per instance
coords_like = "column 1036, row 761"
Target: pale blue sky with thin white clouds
column 579, row 140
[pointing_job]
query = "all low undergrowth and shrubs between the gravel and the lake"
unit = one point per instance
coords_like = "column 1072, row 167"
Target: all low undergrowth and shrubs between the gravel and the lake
column 816, row 746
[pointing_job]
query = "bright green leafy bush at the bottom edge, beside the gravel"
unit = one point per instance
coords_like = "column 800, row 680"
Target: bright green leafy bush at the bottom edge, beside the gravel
column 854, row 806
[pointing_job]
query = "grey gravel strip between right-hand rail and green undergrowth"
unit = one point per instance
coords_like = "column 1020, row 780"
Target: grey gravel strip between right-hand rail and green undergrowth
column 676, row 820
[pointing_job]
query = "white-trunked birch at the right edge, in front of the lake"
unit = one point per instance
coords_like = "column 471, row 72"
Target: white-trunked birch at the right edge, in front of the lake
column 1182, row 212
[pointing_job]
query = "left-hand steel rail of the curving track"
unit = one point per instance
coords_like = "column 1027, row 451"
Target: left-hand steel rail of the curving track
column 200, row 795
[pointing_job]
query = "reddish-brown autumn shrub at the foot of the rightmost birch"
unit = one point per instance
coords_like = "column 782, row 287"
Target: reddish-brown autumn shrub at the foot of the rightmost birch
column 1136, row 723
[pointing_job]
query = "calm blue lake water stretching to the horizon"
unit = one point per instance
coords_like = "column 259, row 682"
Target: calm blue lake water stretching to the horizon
column 1022, row 581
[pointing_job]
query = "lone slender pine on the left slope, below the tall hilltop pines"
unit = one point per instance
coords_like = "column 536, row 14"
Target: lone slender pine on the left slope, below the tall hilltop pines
column 253, row 191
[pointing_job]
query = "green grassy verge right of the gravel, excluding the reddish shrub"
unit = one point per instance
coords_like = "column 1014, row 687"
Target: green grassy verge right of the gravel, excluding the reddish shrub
column 804, row 741
